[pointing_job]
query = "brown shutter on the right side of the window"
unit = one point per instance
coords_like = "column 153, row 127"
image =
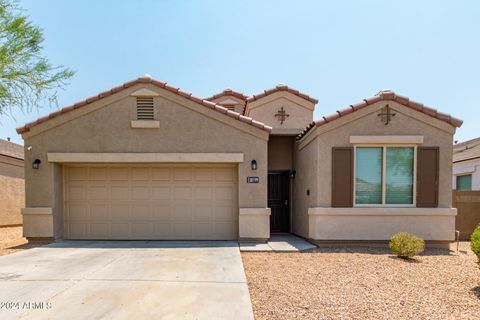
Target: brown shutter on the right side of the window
column 427, row 176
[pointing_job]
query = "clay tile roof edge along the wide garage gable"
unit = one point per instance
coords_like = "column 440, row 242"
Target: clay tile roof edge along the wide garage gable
column 143, row 79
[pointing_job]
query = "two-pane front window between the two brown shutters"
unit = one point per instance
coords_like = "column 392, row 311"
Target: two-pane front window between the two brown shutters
column 384, row 175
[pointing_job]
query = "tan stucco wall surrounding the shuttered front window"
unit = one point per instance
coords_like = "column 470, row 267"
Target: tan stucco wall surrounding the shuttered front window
column 314, row 153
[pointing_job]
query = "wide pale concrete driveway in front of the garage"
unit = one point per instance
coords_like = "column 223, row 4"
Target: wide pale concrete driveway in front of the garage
column 125, row 280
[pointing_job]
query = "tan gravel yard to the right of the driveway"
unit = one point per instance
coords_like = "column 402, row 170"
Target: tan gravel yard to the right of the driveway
column 363, row 283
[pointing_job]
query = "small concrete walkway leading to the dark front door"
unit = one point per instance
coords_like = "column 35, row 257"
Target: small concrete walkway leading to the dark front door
column 279, row 243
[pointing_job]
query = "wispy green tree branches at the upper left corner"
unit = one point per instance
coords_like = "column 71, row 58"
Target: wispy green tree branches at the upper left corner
column 27, row 79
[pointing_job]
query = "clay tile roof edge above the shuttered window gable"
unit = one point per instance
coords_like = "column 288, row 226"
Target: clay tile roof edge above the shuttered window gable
column 384, row 95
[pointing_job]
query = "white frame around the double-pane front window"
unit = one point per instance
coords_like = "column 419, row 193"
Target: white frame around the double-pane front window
column 384, row 174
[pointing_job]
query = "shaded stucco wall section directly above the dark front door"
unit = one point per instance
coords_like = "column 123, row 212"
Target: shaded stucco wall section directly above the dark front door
column 280, row 152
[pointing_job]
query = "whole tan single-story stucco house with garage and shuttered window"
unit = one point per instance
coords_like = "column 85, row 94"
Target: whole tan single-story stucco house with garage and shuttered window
column 146, row 160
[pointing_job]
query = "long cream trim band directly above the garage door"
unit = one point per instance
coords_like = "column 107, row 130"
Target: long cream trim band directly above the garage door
column 145, row 157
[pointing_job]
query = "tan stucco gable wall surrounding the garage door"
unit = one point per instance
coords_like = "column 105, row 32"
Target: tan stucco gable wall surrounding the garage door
column 184, row 127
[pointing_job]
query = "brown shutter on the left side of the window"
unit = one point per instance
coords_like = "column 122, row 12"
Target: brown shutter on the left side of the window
column 342, row 177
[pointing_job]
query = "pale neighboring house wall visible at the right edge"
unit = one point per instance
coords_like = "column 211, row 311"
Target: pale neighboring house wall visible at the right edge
column 466, row 165
